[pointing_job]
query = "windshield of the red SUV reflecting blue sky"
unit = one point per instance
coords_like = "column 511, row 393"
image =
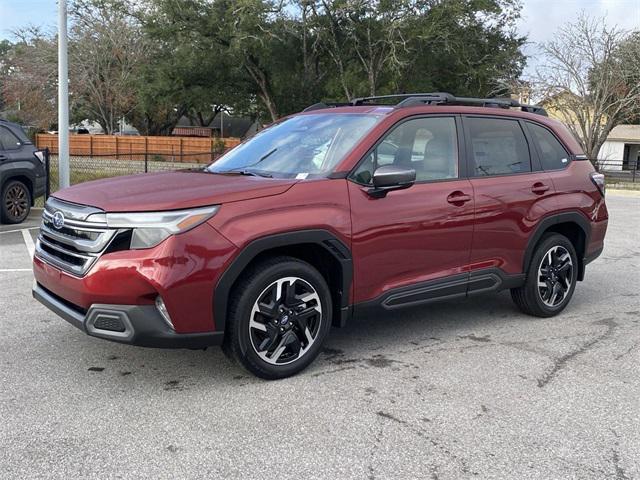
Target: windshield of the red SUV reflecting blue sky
column 302, row 146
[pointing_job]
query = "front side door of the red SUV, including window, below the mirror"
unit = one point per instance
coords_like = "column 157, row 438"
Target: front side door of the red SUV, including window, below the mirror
column 405, row 242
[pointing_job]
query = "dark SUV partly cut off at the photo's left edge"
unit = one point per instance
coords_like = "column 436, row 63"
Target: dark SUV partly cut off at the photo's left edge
column 22, row 173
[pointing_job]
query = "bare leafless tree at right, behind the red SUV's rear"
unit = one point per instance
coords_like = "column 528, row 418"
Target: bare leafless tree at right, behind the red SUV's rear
column 591, row 80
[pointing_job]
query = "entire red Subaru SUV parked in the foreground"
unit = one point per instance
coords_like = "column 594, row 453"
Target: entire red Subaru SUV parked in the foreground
column 339, row 210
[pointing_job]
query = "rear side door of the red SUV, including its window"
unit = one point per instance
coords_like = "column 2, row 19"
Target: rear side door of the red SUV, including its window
column 510, row 189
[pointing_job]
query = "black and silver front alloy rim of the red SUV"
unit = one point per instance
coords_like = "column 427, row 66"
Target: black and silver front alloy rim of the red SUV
column 285, row 320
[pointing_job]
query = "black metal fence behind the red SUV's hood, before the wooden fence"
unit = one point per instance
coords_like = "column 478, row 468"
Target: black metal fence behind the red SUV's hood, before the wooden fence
column 83, row 168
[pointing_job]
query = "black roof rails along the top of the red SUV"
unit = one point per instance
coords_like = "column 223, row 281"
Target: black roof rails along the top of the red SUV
column 435, row 98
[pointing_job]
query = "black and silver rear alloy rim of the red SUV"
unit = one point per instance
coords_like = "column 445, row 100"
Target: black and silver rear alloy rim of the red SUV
column 555, row 276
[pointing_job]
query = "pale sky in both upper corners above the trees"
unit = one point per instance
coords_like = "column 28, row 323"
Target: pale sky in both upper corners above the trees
column 540, row 18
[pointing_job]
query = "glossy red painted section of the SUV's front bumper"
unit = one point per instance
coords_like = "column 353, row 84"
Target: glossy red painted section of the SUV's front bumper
column 182, row 270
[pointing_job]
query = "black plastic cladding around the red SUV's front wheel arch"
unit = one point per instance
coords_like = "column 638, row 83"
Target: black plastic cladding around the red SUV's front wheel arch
column 320, row 248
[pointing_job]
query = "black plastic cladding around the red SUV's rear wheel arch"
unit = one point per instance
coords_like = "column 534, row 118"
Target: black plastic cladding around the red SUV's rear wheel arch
column 572, row 225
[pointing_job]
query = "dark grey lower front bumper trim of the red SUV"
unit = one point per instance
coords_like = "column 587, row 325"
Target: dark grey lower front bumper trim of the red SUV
column 131, row 324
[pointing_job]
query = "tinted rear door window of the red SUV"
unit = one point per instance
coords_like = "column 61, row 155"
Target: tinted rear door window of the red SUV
column 498, row 146
